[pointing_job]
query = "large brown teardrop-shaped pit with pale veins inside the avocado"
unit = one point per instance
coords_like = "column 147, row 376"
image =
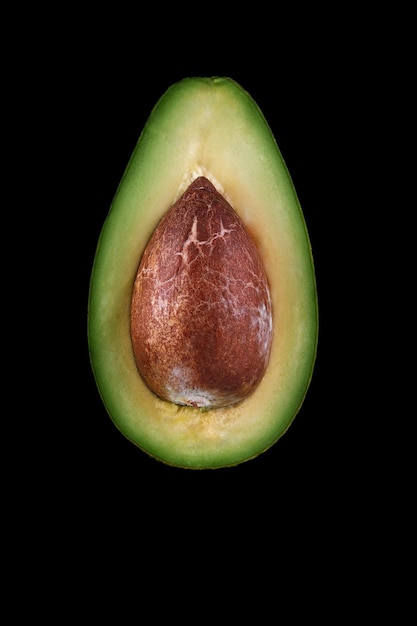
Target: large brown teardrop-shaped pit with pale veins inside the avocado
column 201, row 319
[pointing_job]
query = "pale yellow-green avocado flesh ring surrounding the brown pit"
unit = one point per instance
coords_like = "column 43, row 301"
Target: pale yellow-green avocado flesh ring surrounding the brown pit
column 207, row 127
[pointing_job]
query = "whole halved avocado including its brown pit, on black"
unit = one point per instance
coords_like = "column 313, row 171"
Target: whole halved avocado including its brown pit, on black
column 209, row 133
